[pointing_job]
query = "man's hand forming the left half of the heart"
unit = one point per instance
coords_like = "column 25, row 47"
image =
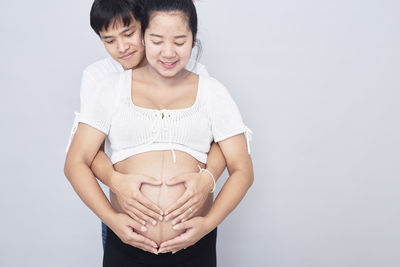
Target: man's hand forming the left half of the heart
column 132, row 201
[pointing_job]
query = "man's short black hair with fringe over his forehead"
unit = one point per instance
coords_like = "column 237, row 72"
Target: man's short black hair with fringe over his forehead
column 105, row 12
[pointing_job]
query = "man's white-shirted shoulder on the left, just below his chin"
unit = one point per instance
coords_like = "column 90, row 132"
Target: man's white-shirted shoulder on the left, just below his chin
column 102, row 68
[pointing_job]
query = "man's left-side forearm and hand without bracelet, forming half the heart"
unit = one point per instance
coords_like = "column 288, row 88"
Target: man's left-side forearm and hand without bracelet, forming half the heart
column 127, row 189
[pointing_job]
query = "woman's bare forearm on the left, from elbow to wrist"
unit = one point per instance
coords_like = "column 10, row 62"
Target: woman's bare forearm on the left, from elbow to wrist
column 88, row 189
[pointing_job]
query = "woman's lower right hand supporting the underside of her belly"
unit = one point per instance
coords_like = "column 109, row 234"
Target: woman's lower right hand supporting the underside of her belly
column 196, row 228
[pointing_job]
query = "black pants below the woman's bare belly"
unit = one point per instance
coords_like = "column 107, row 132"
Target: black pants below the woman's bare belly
column 119, row 254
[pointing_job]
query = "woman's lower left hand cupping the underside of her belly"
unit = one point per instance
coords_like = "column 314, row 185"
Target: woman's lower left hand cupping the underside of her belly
column 123, row 226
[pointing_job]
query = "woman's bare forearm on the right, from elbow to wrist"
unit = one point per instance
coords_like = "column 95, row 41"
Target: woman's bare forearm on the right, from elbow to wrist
column 231, row 194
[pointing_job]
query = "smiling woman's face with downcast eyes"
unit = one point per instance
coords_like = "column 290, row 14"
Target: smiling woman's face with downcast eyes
column 168, row 43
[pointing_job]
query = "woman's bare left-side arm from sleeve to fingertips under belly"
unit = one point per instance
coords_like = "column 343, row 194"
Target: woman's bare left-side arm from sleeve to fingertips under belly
column 83, row 149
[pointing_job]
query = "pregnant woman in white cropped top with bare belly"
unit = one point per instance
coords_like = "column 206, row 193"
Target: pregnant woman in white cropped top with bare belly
column 160, row 120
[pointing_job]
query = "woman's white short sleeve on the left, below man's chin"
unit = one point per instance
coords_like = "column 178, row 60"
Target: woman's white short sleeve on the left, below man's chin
column 98, row 101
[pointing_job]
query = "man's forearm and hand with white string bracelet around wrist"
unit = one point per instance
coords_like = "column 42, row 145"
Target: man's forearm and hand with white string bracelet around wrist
column 198, row 187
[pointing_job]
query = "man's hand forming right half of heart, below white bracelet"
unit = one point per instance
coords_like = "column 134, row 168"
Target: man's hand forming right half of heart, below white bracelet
column 198, row 186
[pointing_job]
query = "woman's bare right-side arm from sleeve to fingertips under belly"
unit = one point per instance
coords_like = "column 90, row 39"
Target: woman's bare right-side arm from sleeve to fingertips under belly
column 240, row 179
